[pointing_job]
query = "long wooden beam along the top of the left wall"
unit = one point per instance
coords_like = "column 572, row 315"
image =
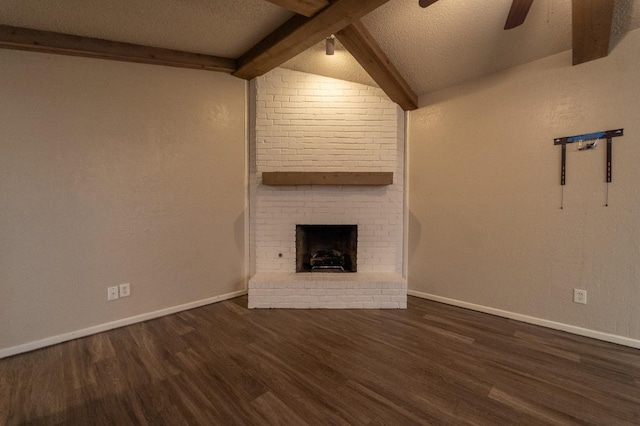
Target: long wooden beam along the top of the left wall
column 65, row 44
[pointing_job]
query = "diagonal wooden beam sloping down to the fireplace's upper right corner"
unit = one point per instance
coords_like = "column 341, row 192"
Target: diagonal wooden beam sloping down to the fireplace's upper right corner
column 359, row 42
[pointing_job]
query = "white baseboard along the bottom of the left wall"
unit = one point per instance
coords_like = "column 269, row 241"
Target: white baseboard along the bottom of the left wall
column 60, row 338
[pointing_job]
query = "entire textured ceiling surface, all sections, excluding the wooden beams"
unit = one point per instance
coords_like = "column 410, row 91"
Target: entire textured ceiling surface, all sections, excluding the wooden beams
column 447, row 43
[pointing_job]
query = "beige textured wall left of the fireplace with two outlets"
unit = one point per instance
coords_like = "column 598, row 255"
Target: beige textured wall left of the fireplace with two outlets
column 115, row 173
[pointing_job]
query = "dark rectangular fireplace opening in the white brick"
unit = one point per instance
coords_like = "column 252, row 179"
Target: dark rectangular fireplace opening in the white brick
column 326, row 248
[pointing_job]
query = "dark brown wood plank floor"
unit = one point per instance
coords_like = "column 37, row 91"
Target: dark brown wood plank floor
column 223, row 364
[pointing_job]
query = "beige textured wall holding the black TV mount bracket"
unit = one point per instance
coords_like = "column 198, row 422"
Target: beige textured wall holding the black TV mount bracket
column 485, row 225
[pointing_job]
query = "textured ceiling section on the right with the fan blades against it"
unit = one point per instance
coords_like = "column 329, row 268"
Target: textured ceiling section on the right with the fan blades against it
column 454, row 41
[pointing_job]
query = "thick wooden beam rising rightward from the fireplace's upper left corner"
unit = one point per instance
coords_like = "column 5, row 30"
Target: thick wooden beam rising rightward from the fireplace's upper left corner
column 299, row 34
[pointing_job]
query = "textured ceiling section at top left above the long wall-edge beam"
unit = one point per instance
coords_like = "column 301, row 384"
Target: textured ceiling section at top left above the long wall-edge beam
column 226, row 28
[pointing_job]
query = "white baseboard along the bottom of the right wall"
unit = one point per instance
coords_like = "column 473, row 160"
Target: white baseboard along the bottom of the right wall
column 613, row 338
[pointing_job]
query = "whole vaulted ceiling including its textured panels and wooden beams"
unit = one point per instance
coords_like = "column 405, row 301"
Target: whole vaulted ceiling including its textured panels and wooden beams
column 405, row 49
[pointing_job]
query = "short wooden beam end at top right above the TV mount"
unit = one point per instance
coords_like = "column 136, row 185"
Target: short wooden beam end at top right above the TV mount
column 591, row 29
